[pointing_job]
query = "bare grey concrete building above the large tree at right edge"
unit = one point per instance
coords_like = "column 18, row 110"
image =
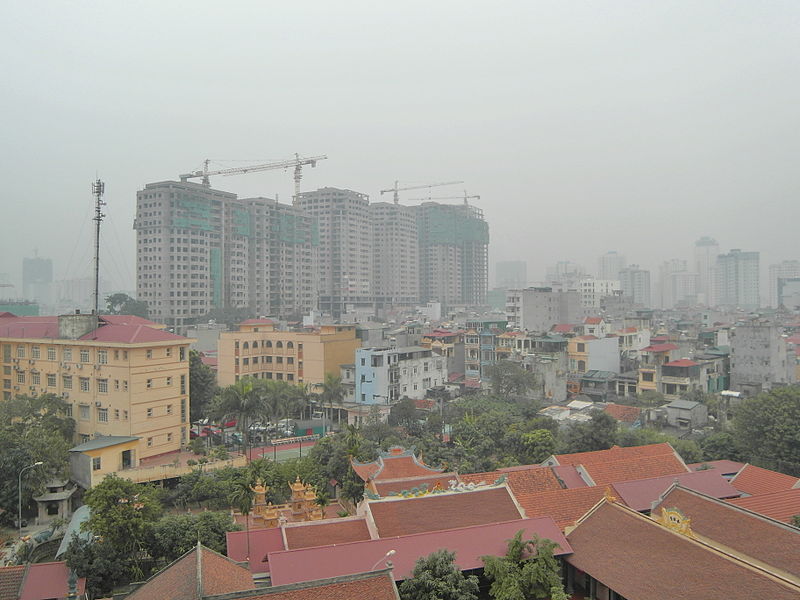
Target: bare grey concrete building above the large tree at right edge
column 761, row 358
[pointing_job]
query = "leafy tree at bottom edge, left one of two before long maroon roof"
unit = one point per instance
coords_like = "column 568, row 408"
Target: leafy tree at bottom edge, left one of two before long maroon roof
column 437, row 577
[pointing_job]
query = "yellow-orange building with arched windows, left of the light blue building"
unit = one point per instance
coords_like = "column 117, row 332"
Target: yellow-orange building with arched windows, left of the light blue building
column 261, row 351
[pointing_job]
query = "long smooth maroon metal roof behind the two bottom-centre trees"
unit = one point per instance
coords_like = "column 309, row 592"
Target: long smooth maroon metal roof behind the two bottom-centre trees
column 468, row 543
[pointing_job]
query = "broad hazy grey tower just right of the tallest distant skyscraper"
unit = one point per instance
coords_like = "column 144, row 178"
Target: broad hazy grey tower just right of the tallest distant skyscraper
column 736, row 280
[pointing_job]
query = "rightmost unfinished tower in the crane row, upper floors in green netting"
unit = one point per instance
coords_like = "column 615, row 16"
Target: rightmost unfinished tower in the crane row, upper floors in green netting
column 453, row 253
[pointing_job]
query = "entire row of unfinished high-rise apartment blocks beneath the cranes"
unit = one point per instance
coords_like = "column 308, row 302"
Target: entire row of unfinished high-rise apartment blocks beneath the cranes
column 200, row 249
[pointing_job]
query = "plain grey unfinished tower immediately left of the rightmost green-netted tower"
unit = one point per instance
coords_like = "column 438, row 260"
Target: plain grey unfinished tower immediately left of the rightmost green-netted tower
column 395, row 269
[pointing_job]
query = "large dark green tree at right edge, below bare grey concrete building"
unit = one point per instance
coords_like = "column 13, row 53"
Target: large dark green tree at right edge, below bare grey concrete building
column 767, row 429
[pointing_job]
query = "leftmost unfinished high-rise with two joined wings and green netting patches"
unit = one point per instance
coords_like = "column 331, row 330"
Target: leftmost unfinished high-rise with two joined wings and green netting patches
column 200, row 249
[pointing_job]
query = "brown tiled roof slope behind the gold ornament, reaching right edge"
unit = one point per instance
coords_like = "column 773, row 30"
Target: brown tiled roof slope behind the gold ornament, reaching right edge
column 754, row 535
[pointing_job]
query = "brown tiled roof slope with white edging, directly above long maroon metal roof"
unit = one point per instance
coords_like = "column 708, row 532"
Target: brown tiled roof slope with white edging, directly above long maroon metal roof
column 443, row 511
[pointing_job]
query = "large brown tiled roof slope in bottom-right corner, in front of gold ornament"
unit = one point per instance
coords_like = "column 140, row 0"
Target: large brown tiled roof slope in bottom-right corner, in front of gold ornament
column 639, row 558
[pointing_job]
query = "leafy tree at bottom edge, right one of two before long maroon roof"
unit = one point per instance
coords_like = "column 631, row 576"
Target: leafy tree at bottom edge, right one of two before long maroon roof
column 528, row 571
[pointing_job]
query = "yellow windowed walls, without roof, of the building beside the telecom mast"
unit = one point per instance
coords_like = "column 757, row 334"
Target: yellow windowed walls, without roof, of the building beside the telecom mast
column 112, row 388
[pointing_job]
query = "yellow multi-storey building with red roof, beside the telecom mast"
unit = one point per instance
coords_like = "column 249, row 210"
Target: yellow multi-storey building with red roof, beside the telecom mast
column 122, row 376
